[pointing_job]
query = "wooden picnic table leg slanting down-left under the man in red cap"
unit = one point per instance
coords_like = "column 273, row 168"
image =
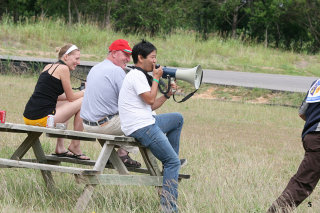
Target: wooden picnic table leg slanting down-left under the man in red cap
column 101, row 162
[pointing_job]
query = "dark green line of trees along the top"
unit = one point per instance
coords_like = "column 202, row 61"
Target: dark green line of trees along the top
column 285, row 24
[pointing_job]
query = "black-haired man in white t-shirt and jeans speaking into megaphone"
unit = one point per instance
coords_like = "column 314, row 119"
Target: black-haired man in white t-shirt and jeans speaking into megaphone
column 160, row 133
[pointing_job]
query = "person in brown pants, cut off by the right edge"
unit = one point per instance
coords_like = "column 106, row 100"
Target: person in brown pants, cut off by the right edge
column 305, row 180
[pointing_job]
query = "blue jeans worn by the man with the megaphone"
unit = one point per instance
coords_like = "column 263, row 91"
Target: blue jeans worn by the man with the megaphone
column 163, row 138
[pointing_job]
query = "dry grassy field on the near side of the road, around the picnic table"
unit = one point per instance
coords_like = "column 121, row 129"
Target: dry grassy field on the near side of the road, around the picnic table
column 240, row 156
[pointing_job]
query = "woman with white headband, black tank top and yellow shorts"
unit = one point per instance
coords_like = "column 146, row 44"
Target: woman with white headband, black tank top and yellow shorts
column 53, row 95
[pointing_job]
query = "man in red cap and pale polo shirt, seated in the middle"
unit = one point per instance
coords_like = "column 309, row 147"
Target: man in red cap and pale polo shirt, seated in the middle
column 99, row 109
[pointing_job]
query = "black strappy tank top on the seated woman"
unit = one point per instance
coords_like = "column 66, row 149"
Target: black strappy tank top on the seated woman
column 44, row 98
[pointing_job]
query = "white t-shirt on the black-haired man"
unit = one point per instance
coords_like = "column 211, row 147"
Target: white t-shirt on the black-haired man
column 134, row 112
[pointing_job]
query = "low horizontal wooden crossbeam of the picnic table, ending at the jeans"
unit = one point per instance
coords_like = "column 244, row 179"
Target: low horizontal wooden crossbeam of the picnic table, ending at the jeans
column 115, row 179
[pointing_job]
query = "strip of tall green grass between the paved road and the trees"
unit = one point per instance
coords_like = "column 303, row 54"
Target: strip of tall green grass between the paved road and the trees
column 180, row 48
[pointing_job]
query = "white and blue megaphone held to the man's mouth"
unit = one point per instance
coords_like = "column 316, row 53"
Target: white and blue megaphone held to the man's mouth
column 193, row 76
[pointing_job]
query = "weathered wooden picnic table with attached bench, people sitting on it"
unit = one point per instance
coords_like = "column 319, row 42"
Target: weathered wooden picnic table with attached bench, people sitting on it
column 108, row 158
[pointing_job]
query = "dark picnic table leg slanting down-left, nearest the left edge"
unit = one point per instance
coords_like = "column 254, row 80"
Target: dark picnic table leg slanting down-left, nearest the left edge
column 26, row 145
